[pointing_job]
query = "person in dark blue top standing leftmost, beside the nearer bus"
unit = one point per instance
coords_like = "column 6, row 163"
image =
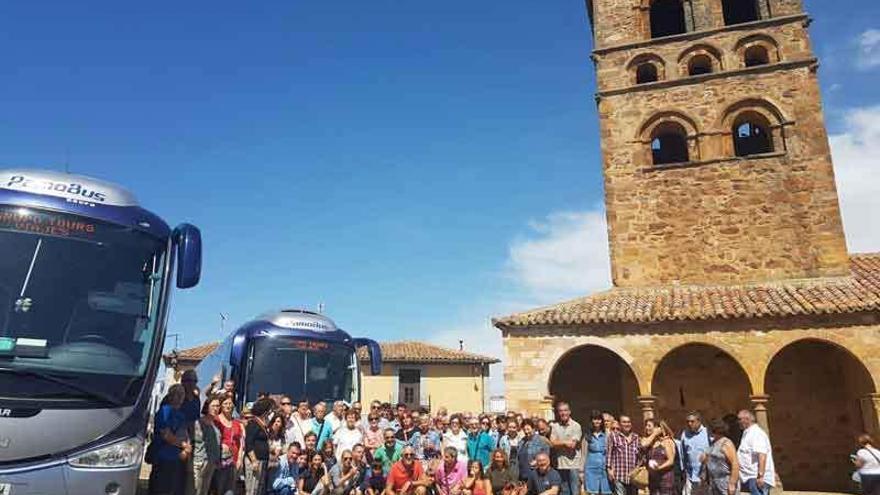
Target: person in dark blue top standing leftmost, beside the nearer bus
column 172, row 446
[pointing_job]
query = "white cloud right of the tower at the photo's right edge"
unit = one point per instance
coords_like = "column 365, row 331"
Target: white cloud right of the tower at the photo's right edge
column 856, row 155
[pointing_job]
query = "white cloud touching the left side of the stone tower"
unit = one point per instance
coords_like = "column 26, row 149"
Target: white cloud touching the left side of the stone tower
column 565, row 255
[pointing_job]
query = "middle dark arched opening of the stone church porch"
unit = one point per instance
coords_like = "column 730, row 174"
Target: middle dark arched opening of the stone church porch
column 700, row 376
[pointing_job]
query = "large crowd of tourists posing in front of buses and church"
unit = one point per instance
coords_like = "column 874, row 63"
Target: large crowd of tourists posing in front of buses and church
column 202, row 446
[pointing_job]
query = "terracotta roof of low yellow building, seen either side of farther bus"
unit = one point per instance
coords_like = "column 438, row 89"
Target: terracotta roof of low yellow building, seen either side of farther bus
column 401, row 352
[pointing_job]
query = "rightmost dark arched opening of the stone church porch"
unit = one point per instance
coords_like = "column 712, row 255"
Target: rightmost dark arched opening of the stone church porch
column 819, row 390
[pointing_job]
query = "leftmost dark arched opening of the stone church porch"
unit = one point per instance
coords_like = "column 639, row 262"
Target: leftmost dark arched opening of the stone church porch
column 591, row 376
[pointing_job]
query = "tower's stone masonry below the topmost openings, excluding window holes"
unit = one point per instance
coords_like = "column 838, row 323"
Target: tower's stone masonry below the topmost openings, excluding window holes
column 720, row 218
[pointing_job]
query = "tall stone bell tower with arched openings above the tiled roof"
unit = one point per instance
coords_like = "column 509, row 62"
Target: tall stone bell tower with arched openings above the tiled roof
column 715, row 154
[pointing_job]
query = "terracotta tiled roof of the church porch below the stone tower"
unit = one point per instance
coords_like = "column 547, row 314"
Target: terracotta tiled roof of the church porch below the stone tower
column 855, row 293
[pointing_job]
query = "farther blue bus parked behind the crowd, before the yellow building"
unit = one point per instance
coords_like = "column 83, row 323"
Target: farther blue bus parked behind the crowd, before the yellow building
column 292, row 352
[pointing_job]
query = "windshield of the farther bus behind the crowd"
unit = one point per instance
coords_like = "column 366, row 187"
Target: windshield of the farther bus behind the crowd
column 303, row 369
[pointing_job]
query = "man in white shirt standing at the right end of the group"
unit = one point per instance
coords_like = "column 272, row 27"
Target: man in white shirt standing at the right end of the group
column 756, row 470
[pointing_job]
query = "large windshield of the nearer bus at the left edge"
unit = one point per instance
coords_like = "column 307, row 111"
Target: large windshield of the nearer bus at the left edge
column 78, row 304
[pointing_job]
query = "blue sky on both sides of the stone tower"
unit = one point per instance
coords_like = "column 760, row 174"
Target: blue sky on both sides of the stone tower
column 416, row 166
